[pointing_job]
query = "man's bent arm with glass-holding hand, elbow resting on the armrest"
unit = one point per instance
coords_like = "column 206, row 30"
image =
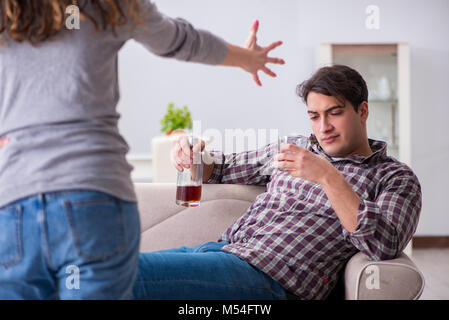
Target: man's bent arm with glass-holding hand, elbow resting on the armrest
column 380, row 228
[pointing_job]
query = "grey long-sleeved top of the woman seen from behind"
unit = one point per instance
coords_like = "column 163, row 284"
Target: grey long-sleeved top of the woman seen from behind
column 58, row 104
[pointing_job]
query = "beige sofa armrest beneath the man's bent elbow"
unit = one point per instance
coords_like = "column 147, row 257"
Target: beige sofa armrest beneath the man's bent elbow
column 396, row 279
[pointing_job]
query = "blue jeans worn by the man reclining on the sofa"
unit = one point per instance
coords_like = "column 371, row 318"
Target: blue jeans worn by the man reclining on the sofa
column 202, row 272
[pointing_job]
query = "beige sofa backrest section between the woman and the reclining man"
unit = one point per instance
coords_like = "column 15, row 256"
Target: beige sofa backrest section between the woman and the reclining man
column 166, row 225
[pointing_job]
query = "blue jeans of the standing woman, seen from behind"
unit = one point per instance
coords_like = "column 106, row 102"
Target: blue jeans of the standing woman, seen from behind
column 76, row 244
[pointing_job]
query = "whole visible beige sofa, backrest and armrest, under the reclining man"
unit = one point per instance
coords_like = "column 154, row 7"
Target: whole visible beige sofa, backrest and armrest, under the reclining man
column 166, row 225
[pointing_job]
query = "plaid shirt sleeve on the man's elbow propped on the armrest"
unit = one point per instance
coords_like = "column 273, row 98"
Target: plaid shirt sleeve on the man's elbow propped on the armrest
column 387, row 223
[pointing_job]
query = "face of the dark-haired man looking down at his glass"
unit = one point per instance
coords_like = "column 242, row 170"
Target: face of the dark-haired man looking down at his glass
column 340, row 130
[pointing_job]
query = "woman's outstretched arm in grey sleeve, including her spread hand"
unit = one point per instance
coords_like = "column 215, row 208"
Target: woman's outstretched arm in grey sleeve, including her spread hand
column 178, row 39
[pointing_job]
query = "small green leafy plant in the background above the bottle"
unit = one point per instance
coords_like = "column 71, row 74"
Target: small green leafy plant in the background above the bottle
column 176, row 120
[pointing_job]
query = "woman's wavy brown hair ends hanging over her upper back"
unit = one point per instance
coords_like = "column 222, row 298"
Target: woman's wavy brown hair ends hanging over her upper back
column 38, row 20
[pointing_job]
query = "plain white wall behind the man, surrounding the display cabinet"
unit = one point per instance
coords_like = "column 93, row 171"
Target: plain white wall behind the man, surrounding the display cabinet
column 226, row 98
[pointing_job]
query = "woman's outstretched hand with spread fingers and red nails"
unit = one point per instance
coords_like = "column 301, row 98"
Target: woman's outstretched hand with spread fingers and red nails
column 253, row 57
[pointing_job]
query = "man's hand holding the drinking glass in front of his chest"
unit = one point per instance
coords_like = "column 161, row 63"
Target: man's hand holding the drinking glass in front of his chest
column 303, row 163
